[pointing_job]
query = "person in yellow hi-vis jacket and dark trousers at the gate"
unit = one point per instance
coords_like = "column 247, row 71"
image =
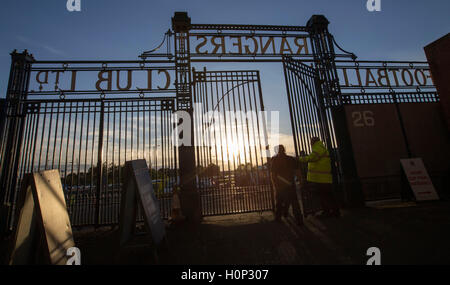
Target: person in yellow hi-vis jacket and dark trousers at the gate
column 320, row 178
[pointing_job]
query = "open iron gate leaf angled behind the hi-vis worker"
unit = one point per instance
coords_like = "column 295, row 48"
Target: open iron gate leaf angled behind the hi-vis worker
column 310, row 117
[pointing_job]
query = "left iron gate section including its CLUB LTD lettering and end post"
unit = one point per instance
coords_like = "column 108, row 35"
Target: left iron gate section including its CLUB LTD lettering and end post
column 87, row 134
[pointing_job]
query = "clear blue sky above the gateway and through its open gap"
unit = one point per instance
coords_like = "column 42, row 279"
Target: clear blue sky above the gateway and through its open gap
column 118, row 30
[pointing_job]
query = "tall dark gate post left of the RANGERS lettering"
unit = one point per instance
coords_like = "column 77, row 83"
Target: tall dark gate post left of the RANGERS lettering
column 189, row 196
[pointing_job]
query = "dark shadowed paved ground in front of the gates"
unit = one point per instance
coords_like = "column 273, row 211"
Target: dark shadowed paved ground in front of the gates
column 406, row 233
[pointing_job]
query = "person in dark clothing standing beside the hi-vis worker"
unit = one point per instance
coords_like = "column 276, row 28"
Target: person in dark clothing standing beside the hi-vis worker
column 283, row 170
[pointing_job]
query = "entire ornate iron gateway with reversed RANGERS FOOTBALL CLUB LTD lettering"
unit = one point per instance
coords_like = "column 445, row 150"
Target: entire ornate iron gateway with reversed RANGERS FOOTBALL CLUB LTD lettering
column 316, row 79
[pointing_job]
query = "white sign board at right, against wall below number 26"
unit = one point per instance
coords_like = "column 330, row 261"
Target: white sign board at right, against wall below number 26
column 419, row 180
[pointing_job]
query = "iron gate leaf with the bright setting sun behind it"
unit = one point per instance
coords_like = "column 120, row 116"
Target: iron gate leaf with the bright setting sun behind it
column 230, row 137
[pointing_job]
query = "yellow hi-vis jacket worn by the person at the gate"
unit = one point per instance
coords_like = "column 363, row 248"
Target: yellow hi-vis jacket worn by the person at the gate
column 319, row 164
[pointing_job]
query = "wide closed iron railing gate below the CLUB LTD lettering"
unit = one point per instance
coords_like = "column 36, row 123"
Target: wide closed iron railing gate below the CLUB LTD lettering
column 89, row 142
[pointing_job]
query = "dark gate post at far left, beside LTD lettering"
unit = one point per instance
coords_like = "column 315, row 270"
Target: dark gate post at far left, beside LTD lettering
column 13, row 126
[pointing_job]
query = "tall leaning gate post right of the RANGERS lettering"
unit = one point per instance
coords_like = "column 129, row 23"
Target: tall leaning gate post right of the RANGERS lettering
column 324, row 58
